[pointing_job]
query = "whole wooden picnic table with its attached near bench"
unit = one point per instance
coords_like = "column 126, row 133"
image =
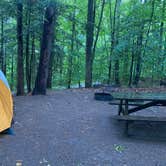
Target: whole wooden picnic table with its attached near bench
column 135, row 101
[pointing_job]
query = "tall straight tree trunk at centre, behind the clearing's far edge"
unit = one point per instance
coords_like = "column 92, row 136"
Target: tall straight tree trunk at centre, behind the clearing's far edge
column 89, row 43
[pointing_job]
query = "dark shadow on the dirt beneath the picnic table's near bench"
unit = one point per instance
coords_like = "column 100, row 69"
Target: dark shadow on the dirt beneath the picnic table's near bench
column 150, row 131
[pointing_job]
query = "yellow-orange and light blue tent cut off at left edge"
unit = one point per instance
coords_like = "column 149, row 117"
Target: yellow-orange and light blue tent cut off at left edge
column 6, row 104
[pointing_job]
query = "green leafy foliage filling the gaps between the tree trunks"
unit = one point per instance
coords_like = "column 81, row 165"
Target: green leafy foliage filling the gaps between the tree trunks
column 133, row 14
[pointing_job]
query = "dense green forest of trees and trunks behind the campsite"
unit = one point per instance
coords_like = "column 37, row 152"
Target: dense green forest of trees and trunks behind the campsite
column 75, row 43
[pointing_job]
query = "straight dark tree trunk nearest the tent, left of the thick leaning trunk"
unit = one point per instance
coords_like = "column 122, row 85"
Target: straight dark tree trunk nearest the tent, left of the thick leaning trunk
column 20, row 68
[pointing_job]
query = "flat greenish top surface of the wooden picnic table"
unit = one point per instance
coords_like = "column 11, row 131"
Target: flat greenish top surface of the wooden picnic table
column 152, row 96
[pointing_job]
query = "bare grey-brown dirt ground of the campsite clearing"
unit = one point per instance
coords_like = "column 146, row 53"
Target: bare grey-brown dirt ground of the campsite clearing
column 70, row 128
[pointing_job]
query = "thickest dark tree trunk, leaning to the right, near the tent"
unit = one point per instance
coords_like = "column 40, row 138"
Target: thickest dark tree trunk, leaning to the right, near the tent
column 46, row 46
